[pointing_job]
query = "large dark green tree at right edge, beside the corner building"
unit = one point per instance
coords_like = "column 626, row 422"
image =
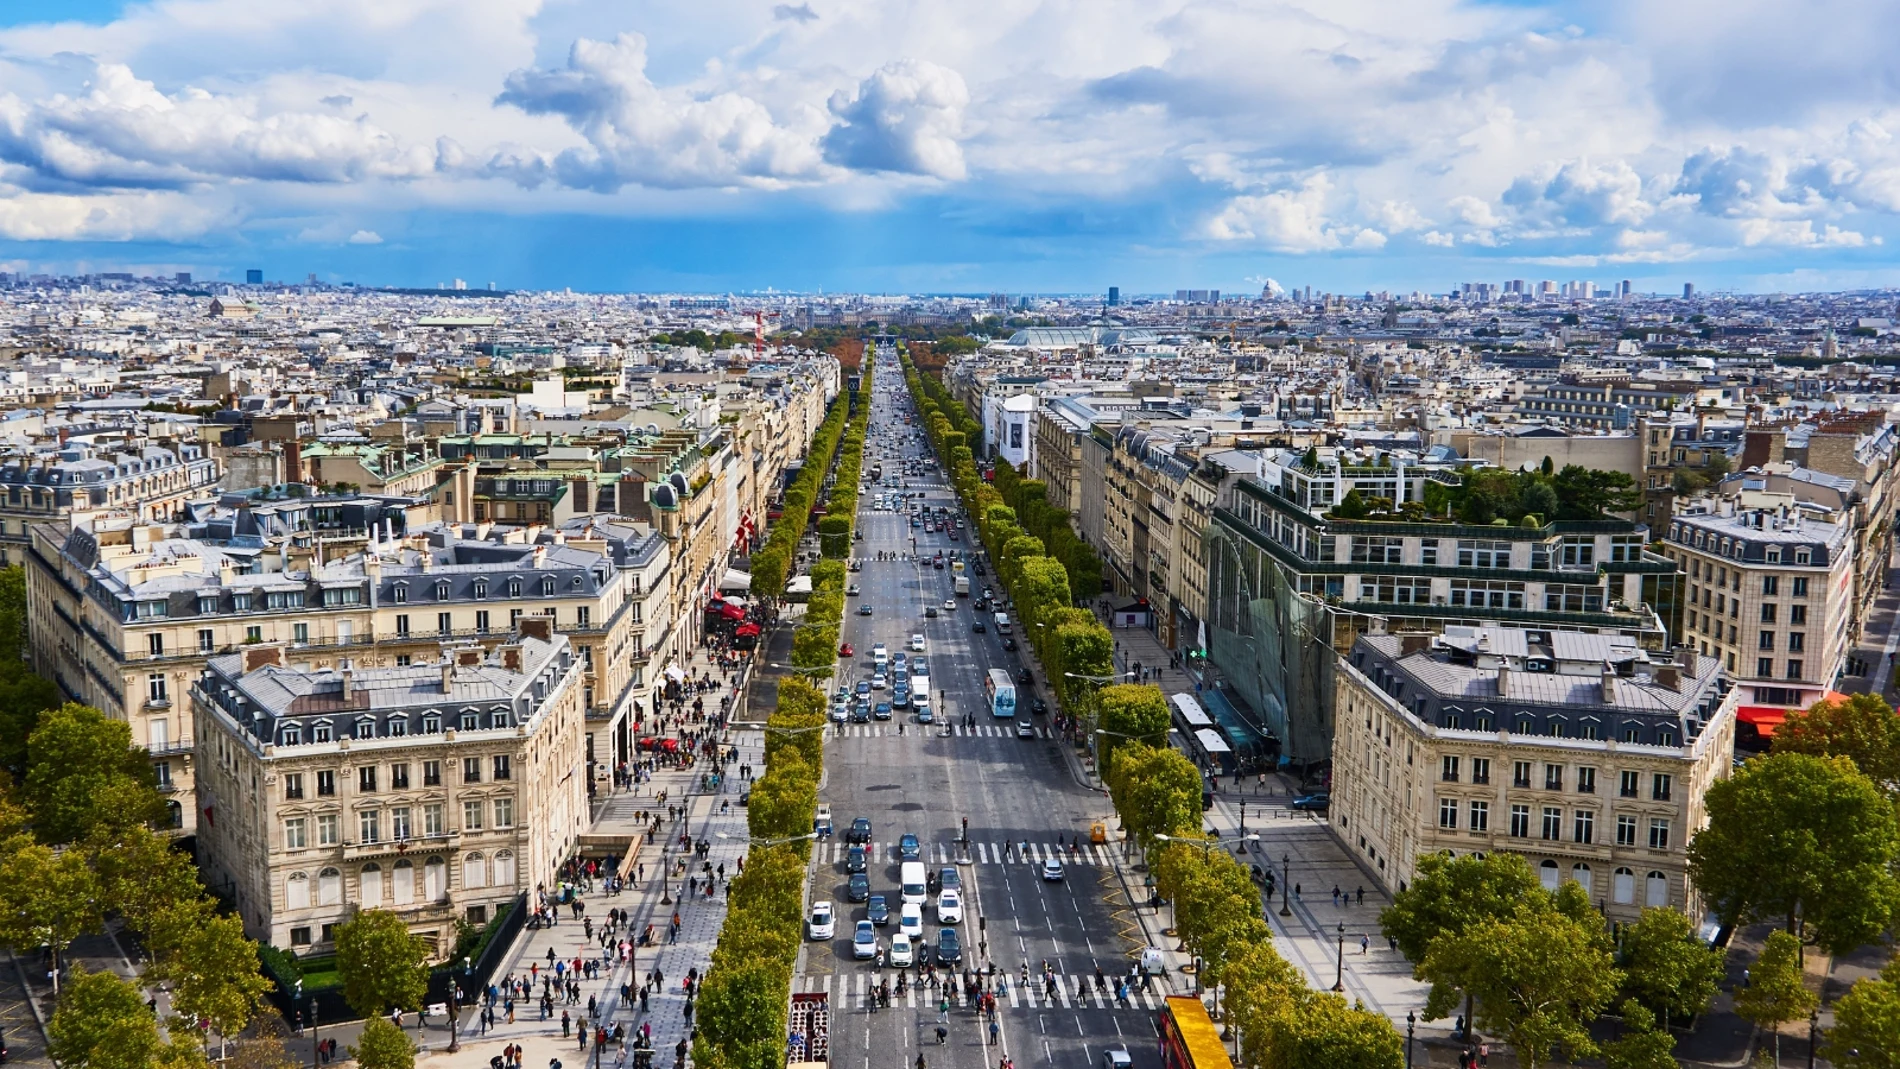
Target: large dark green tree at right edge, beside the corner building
column 1800, row 836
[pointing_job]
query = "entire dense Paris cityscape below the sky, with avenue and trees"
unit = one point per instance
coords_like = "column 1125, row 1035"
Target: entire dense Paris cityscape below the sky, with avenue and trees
column 1187, row 679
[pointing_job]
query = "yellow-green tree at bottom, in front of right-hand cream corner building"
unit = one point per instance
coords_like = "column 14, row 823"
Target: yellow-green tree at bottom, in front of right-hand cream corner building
column 1536, row 979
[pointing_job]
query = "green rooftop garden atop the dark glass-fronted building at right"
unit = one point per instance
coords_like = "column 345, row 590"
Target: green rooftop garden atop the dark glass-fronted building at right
column 1492, row 497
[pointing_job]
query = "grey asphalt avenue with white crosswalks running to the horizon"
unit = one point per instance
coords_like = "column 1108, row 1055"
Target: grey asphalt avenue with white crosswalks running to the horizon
column 909, row 778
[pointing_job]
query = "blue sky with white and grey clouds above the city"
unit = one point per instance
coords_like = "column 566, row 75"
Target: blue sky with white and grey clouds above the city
column 957, row 145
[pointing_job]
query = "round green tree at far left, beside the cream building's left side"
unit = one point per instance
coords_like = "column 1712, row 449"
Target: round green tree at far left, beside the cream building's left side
column 85, row 774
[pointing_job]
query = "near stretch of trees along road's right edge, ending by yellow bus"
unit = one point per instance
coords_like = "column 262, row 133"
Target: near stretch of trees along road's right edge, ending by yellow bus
column 1282, row 1022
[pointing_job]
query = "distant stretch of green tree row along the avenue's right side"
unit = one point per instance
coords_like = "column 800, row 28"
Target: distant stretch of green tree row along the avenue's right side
column 1073, row 647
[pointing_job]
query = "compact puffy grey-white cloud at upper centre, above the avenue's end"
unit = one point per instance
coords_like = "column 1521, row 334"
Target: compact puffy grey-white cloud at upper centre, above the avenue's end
column 903, row 119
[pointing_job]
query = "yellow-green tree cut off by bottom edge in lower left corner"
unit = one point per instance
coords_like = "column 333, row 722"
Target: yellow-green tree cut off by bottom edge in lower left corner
column 102, row 1024
